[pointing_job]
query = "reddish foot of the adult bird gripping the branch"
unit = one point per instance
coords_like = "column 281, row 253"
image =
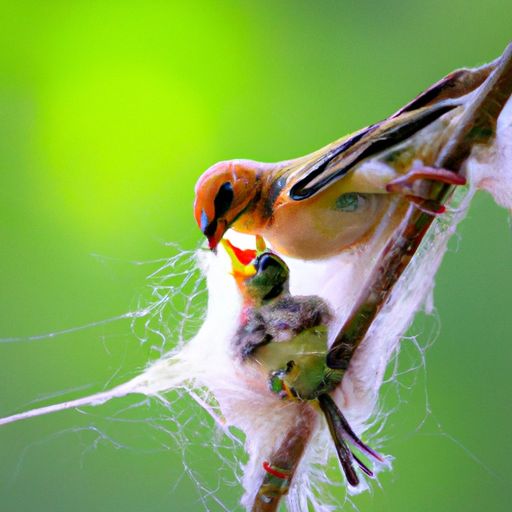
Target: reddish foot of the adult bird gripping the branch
column 416, row 188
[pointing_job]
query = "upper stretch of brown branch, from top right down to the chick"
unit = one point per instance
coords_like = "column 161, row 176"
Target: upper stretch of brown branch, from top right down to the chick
column 477, row 126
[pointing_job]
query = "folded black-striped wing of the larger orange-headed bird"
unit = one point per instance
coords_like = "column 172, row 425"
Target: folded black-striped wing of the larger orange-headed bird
column 340, row 158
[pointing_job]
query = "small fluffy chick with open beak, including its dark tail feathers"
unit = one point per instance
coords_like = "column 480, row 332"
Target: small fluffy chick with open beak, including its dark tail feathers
column 286, row 337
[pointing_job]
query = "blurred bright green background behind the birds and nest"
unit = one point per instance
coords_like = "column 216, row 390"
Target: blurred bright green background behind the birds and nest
column 109, row 111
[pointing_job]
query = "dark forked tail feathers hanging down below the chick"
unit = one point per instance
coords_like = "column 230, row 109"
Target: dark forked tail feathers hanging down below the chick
column 341, row 432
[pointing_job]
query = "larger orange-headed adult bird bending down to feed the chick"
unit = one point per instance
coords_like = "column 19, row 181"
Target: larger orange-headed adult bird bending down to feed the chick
column 321, row 204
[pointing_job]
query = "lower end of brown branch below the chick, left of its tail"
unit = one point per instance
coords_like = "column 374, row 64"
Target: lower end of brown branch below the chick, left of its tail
column 284, row 461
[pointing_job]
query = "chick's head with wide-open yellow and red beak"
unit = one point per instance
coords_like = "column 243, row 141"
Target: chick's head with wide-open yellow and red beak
column 261, row 275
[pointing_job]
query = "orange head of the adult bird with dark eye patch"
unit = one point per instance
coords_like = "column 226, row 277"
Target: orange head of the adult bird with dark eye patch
column 223, row 193
